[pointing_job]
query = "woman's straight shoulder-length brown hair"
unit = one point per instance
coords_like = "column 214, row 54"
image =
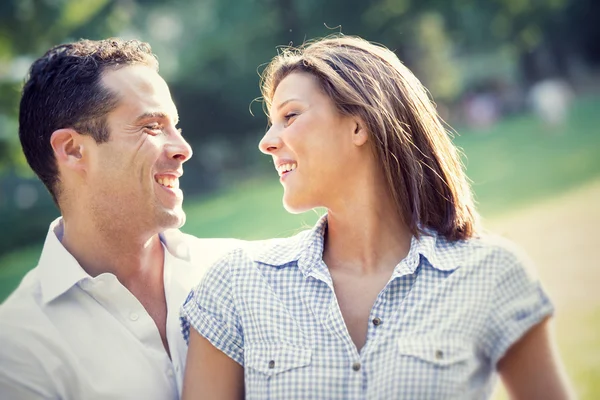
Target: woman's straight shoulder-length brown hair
column 421, row 165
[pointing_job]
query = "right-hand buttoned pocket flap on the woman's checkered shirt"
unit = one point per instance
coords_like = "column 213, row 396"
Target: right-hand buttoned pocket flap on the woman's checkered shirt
column 441, row 351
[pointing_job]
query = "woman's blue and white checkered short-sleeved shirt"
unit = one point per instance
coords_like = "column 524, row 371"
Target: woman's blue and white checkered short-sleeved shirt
column 438, row 328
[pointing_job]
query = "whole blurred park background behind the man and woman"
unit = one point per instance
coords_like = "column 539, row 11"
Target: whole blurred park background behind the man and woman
column 487, row 63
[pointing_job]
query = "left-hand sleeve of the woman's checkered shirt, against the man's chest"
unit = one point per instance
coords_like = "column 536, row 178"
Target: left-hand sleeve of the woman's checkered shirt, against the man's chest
column 210, row 310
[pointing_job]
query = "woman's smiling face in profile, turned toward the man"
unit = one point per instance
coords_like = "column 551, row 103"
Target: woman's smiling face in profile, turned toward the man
column 313, row 146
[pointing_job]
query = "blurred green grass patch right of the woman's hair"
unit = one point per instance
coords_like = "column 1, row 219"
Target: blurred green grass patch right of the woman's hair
column 520, row 161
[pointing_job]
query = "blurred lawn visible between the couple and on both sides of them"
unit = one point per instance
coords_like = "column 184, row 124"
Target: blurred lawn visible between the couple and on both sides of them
column 516, row 163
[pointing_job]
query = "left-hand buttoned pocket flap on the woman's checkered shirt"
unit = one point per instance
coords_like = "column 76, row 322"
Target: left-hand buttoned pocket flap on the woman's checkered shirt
column 274, row 358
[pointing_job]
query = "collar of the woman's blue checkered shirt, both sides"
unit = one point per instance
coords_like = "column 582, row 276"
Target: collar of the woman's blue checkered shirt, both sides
column 306, row 249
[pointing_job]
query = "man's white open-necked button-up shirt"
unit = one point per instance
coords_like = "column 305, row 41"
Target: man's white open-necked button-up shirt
column 66, row 335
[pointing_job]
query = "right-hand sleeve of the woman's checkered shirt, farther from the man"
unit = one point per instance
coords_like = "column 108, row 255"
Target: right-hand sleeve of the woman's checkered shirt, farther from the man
column 518, row 304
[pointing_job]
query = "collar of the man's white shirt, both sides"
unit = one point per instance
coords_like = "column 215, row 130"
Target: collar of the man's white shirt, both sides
column 59, row 270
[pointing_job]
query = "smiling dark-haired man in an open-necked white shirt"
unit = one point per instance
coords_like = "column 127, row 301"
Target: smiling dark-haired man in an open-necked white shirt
column 98, row 318
